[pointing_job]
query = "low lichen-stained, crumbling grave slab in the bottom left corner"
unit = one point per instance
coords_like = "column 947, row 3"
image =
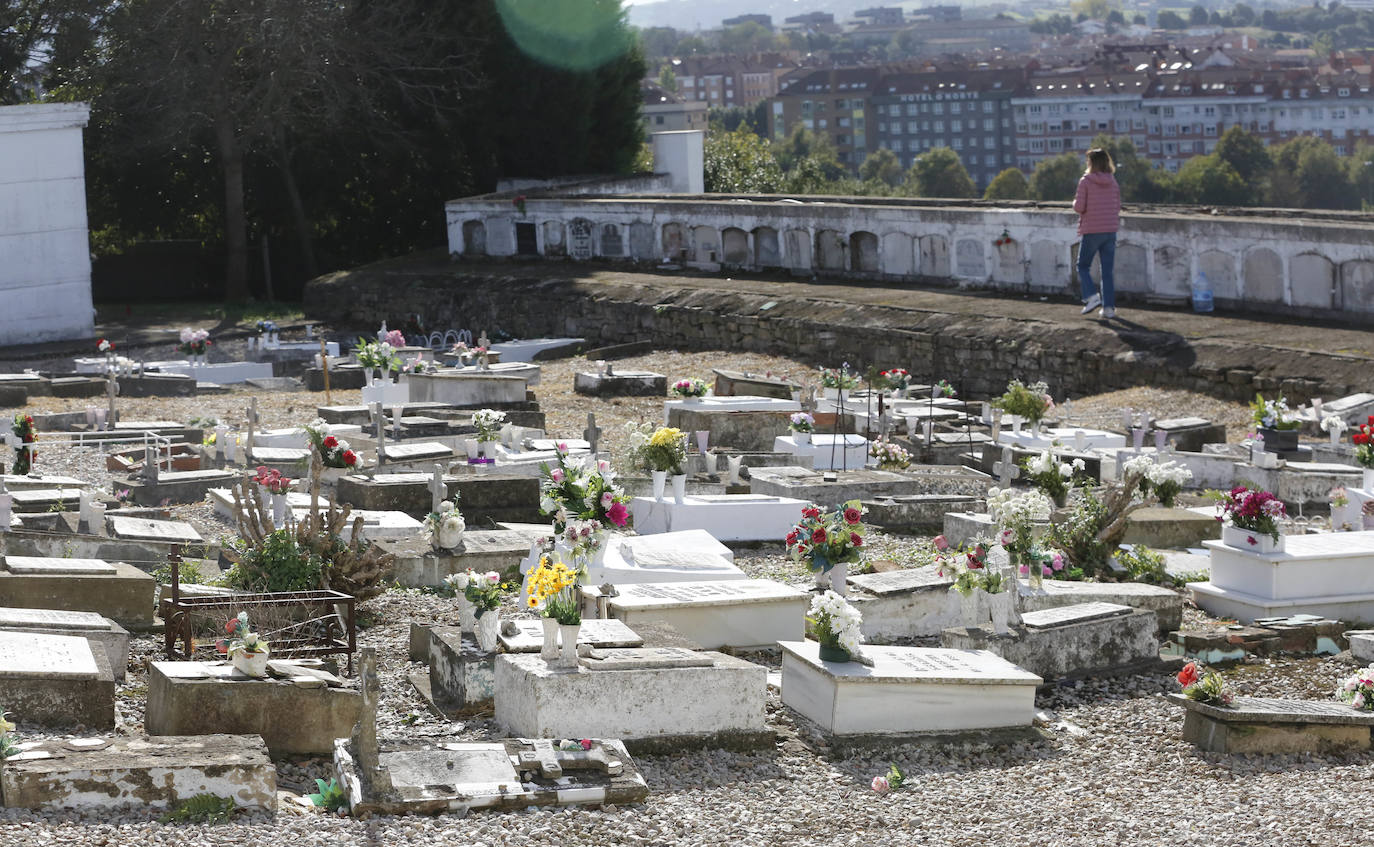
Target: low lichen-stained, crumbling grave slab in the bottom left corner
column 152, row 772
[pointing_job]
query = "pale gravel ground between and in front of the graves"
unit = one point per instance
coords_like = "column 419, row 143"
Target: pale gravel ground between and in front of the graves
column 1110, row 765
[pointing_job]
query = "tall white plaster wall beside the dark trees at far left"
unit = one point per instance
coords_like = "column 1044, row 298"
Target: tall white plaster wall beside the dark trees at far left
column 45, row 244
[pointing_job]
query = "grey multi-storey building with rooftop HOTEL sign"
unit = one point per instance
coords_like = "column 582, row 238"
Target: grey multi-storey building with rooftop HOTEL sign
column 967, row 111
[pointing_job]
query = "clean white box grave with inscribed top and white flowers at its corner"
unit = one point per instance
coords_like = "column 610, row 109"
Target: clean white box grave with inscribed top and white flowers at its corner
column 908, row 691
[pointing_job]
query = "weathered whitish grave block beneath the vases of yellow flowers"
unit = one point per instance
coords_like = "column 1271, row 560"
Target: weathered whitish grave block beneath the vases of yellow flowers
column 721, row 705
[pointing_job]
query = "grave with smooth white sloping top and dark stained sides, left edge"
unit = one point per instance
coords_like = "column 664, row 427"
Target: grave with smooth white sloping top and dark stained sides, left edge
column 56, row 680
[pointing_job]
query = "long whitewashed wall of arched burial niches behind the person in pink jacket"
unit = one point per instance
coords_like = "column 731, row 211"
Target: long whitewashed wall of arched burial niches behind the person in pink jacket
column 1266, row 265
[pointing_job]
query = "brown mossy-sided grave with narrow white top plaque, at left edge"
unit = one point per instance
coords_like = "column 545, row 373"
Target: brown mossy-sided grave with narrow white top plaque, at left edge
column 123, row 595
